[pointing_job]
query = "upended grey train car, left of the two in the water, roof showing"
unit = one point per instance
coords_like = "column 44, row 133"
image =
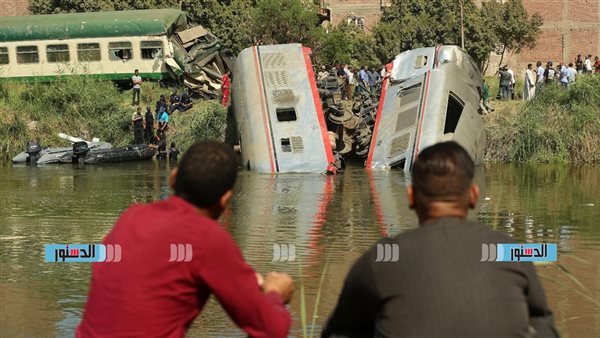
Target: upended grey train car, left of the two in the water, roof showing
column 279, row 117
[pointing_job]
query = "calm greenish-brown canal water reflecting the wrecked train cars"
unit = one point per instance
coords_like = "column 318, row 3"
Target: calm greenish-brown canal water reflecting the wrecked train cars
column 330, row 220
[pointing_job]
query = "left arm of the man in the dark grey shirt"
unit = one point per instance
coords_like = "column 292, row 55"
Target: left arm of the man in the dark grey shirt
column 357, row 307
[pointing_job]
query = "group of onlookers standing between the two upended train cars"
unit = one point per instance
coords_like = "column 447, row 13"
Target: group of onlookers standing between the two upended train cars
column 354, row 81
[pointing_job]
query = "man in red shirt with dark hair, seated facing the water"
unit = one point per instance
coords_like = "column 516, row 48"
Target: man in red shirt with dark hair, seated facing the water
column 151, row 293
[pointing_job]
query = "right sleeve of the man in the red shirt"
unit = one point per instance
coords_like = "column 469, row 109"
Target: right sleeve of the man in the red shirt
column 234, row 284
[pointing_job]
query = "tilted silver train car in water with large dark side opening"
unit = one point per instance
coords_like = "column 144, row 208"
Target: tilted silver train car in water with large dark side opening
column 430, row 95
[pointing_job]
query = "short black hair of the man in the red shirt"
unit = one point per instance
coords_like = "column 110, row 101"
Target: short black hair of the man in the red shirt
column 206, row 171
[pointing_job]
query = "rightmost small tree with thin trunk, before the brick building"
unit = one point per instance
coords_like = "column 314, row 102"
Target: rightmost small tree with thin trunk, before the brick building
column 513, row 27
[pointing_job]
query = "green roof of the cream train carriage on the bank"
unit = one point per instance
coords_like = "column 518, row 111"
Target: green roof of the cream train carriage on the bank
column 92, row 24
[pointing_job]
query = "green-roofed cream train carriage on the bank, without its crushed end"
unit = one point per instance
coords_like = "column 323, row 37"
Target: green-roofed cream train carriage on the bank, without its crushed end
column 105, row 44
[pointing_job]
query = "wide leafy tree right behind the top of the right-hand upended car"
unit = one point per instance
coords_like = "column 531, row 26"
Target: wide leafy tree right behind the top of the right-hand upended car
column 409, row 24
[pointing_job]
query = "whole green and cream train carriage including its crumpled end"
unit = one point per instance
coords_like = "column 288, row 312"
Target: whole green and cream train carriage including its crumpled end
column 160, row 43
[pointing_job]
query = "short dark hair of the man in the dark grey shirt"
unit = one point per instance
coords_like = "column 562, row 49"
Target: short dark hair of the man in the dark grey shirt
column 442, row 172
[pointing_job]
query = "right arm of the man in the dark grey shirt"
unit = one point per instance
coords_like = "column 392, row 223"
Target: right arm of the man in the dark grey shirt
column 540, row 316
